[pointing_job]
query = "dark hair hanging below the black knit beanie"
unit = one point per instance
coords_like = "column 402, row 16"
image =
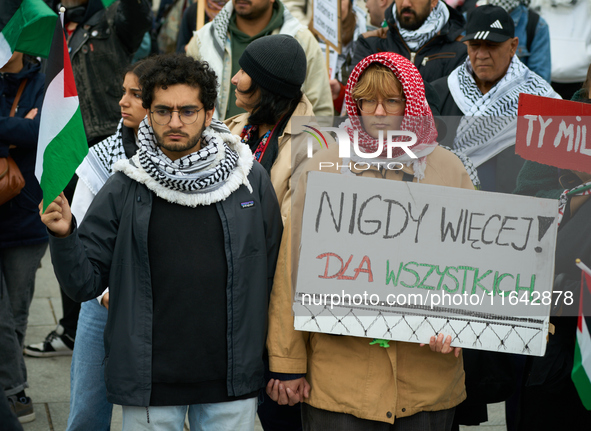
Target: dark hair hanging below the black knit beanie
column 270, row 107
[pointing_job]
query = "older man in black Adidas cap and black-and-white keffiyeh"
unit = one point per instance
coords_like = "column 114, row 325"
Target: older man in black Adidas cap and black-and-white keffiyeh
column 487, row 87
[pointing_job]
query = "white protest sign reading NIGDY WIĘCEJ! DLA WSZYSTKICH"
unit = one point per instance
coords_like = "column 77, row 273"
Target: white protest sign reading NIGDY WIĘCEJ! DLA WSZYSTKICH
column 404, row 261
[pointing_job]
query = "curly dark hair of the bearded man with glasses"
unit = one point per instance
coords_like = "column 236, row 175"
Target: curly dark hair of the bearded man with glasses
column 173, row 69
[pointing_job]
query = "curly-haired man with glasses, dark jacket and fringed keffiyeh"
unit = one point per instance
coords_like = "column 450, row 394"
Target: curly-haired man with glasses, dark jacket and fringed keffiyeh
column 186, row 234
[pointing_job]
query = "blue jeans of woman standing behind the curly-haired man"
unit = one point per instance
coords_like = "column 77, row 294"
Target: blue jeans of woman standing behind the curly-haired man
column 89, row 408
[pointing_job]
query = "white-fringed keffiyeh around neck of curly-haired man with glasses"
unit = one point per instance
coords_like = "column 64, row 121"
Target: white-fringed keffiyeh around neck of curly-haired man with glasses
column 204, row 177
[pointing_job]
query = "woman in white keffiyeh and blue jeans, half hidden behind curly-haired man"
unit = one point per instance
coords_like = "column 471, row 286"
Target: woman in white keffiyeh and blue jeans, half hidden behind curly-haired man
column 89, row 408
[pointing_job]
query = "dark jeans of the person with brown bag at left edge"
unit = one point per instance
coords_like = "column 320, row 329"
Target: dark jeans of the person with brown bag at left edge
column 18, row 266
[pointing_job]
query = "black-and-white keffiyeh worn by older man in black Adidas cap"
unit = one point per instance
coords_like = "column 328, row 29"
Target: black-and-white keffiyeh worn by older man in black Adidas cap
column 490, row 120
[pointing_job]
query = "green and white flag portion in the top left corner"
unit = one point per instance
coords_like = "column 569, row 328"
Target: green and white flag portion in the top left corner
column 26, row 26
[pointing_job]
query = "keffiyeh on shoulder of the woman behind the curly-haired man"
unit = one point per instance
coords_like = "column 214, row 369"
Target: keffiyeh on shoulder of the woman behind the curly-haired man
column 97, row 166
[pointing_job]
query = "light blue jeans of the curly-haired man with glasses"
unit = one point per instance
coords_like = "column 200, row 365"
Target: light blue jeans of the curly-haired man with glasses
column 230, row 416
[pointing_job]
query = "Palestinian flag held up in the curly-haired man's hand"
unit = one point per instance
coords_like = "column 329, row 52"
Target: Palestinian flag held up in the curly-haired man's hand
column 62, row 142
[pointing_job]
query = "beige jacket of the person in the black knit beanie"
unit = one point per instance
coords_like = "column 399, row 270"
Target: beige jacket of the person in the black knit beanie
column 289, row 163
